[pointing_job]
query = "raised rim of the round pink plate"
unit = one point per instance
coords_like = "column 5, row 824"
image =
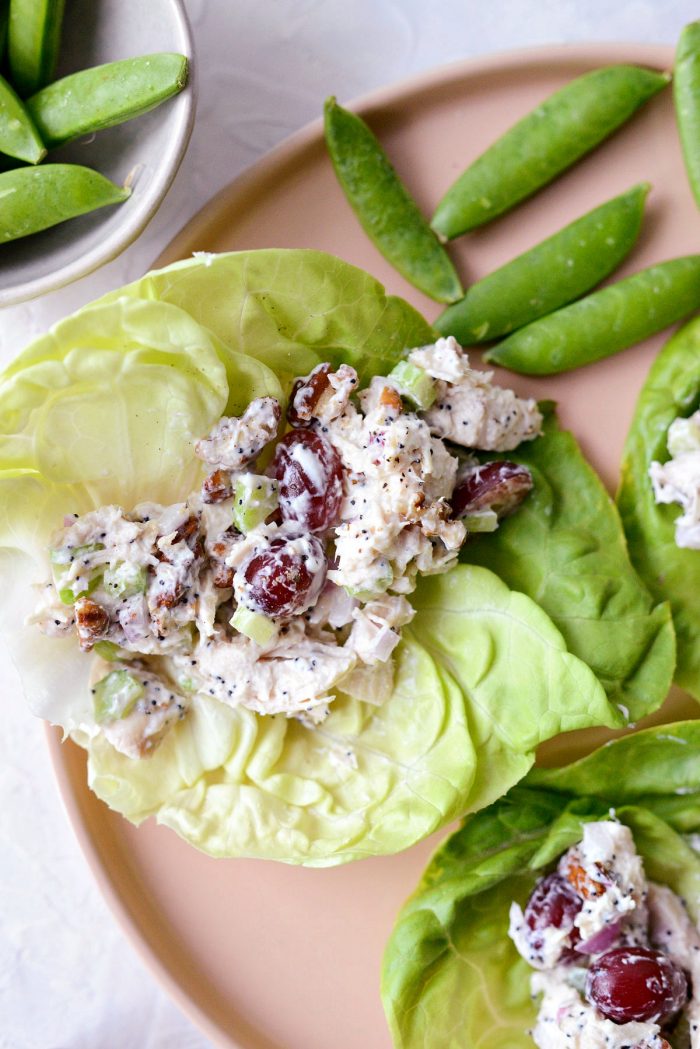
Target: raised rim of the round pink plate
column 656, row 56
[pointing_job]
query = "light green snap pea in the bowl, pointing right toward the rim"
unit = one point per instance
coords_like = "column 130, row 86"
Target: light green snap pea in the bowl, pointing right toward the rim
column 104, row 96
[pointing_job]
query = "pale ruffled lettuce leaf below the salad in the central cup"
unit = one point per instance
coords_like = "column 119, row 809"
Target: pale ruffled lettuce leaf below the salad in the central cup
column 371, row 780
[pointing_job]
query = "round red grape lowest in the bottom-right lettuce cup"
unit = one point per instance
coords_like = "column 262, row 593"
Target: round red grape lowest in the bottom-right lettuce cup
column 637, row 983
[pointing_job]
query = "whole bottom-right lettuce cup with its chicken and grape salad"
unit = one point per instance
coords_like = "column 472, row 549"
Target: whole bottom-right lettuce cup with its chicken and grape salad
column 566, row 914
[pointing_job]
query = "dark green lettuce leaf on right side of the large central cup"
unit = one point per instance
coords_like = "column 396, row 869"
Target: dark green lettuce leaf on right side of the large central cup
column 566, row 549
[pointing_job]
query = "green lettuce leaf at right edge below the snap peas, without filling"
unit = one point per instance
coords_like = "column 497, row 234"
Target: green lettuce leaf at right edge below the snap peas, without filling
column 672, row 389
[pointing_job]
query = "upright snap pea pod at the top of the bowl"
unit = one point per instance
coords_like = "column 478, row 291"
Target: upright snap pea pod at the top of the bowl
column 34, row 35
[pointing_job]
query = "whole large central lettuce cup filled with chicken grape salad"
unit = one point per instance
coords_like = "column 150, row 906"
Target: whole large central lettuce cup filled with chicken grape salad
column 234, row 498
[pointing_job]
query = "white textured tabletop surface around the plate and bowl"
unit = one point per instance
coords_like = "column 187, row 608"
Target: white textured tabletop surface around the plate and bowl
column 69, row 979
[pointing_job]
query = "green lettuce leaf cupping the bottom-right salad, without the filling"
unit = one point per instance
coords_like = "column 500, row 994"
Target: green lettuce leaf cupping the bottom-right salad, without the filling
column 452, row 977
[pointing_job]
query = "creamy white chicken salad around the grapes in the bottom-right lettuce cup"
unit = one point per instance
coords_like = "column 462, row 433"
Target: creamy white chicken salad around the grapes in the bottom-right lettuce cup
column 622, row 909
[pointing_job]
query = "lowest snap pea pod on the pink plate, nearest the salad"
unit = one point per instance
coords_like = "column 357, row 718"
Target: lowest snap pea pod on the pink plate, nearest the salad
column 605, row 323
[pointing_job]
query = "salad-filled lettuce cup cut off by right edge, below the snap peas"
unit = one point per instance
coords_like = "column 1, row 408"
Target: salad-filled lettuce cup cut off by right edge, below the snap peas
column 660, row 496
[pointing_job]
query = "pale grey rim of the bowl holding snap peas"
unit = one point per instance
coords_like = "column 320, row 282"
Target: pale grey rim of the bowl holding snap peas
column 109, row 249
